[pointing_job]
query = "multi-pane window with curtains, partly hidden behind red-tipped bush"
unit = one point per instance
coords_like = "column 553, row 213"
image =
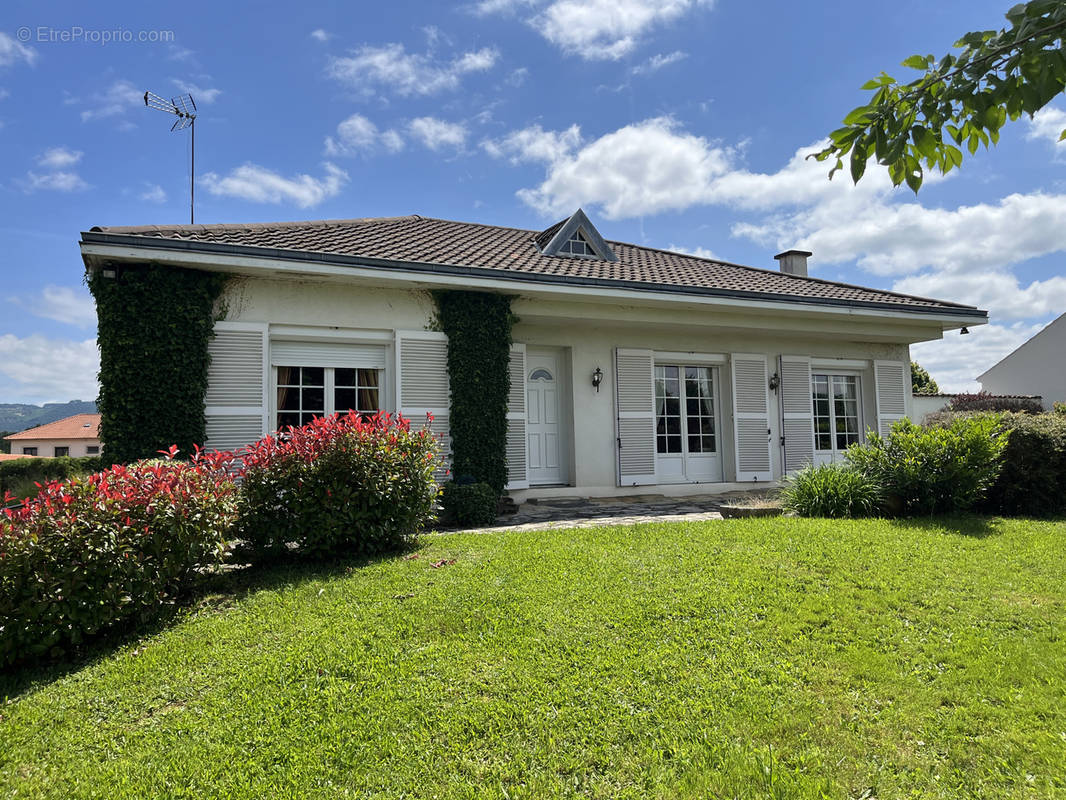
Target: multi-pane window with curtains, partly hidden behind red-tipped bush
column 305, row 393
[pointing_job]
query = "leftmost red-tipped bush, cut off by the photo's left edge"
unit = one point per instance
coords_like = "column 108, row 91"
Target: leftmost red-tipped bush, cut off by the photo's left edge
column 92, row 555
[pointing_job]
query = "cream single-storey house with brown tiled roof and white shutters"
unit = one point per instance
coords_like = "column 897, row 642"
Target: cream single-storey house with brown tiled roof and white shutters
column 713, row 375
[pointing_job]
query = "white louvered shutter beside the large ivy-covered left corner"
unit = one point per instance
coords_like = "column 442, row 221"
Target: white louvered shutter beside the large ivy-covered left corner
column 235, row 405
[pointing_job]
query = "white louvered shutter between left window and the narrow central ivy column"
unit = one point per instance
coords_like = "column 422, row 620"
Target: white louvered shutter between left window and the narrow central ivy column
column 423, row 387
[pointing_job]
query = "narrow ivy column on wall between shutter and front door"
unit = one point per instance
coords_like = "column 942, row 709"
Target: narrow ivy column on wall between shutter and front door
column 478, row 326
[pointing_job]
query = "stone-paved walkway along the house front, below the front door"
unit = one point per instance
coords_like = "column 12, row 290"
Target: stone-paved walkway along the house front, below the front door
column 592, row 513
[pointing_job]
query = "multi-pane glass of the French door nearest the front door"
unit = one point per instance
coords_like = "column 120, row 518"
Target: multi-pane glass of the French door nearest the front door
column 685, row 410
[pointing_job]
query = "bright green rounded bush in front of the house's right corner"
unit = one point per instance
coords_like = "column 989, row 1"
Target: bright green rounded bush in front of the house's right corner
column 930, row 471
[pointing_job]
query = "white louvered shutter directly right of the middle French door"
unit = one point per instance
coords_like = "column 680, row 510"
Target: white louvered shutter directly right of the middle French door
column 751, row 396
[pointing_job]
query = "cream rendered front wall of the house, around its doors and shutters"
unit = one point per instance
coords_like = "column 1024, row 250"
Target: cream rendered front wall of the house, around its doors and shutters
column 587, row 335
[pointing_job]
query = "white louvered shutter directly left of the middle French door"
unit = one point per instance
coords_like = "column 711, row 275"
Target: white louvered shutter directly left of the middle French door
column 636, row 403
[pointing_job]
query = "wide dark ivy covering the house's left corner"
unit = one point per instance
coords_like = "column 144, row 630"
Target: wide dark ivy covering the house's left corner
column 155, row 325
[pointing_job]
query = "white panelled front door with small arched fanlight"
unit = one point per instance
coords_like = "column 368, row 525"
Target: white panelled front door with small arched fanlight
column 544, row 388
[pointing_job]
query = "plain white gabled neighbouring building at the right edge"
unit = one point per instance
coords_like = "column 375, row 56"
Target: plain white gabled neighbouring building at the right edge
column 1038, row 367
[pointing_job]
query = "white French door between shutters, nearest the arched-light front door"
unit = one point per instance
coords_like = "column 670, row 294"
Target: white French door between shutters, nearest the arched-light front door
column 687, row 425
